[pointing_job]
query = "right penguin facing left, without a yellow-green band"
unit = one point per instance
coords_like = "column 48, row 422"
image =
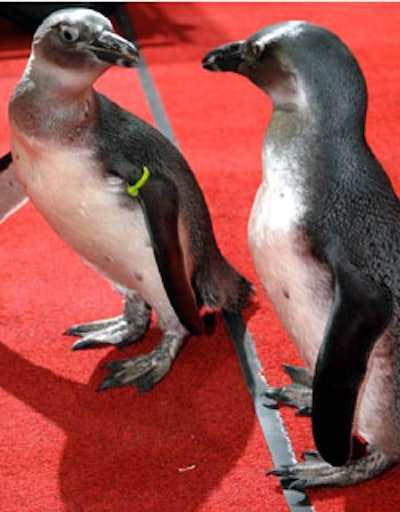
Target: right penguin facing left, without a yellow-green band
column 324, row 233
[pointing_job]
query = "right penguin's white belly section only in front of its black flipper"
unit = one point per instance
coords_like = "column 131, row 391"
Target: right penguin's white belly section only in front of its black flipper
column 298, row 286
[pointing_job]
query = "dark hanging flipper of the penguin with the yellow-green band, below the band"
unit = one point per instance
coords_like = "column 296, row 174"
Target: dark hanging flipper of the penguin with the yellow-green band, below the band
column 160, row 204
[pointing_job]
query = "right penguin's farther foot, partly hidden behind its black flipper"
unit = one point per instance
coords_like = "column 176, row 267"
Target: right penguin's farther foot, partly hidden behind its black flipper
column 297, row 394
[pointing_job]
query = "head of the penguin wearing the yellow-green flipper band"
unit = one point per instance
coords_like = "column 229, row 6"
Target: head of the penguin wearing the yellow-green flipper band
column 80, row 41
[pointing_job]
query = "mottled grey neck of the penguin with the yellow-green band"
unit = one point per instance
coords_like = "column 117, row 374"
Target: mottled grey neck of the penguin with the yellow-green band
column 50, row 103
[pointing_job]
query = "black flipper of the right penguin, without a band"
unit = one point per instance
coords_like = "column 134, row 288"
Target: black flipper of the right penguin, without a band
column 360, row 312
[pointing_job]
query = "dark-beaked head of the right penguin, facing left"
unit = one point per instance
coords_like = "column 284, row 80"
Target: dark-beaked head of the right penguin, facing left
column 297, row 64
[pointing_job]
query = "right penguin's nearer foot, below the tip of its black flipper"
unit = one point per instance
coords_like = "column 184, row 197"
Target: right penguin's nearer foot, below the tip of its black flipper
column 315, row 472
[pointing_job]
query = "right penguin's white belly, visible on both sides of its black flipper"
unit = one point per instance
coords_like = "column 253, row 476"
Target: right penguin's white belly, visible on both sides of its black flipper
column 300, row 290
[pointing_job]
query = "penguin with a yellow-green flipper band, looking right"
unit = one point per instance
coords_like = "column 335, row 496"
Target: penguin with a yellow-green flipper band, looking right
column 119, row 193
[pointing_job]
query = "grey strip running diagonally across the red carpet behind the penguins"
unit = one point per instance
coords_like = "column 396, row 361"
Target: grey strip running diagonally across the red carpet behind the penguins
column 270, row 420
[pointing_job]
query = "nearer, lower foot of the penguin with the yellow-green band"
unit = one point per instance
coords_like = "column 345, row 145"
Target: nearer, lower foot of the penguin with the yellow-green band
column 146, row 370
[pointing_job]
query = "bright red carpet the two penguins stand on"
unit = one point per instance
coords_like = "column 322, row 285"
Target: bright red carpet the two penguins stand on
column 193, row 443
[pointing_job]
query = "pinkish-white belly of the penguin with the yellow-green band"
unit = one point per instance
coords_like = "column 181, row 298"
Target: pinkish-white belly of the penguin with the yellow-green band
column 84, row 208
